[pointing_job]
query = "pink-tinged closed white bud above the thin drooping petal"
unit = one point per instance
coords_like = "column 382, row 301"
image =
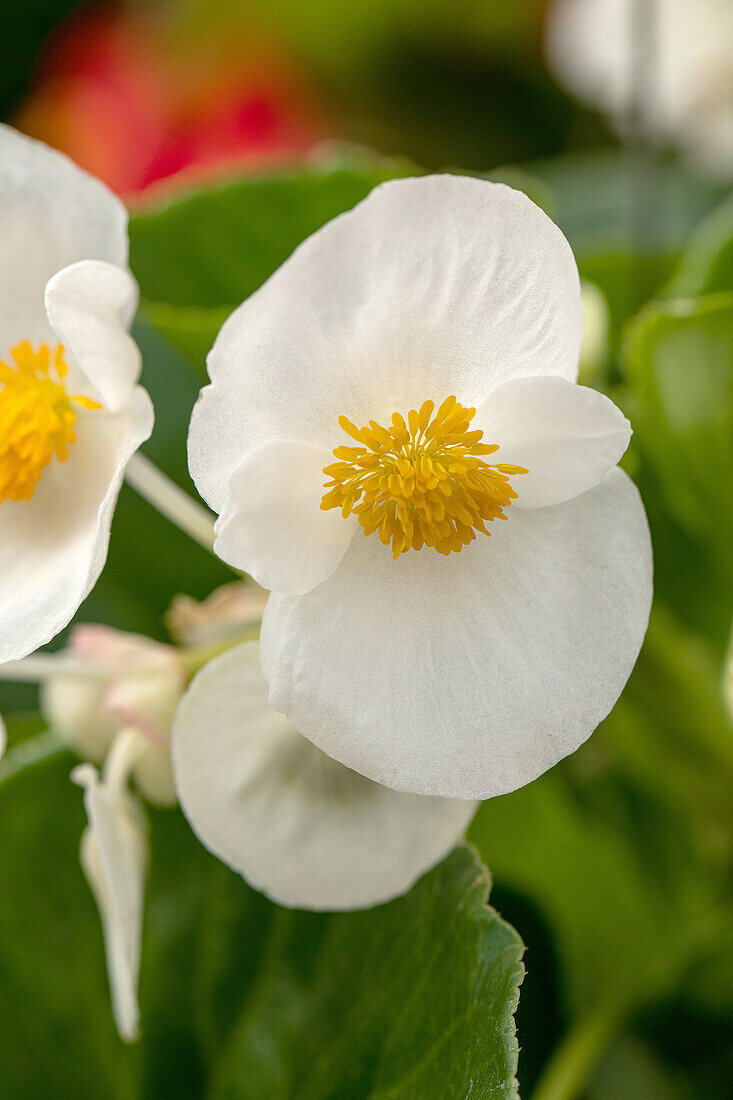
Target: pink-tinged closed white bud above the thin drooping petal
column 130, row 684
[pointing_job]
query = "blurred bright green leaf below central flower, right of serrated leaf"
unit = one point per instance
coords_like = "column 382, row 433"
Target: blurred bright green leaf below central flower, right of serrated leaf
column 590, row 885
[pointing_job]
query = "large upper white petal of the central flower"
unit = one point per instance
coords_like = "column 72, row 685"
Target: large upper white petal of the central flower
column 434, row 287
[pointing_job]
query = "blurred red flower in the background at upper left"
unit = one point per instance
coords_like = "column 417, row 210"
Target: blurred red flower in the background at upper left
column 136, row 100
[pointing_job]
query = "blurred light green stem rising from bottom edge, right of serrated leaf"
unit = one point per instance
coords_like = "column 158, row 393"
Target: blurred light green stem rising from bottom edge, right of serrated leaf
column 577, row 1057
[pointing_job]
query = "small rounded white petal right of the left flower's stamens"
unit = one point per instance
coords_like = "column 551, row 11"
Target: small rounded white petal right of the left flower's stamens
column 91, row 306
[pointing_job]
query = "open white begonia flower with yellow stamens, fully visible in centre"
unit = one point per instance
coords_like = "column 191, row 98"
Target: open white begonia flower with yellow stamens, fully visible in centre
column 443, row 314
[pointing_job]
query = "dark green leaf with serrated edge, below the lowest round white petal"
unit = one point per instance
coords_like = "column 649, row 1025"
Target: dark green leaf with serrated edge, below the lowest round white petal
column 406, row 1028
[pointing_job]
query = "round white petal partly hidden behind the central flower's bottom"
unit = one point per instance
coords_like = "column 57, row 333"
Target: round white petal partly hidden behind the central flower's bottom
column 298, row 826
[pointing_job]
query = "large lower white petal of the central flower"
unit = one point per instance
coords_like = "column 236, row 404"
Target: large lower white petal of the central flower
column 472, row 675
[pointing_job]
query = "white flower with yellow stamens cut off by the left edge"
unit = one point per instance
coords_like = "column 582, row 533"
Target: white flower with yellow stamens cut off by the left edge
column 71, row 412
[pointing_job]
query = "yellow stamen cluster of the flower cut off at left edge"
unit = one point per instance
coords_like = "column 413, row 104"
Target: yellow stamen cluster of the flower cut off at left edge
column 37, row 417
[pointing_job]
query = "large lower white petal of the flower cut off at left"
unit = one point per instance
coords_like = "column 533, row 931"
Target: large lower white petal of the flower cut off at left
column 54, row 546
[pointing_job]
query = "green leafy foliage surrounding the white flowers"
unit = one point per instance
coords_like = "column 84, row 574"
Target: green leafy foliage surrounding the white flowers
column 616, row 867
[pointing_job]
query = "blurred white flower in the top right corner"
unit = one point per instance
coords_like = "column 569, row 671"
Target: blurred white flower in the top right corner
column 673, row 78
